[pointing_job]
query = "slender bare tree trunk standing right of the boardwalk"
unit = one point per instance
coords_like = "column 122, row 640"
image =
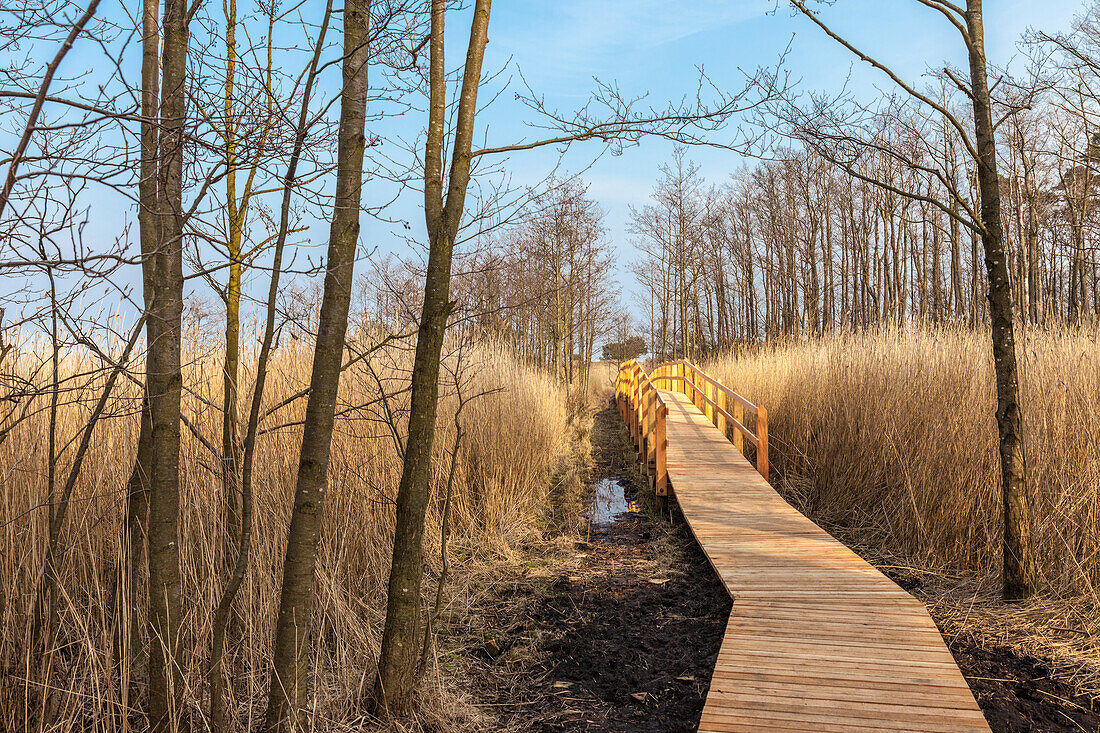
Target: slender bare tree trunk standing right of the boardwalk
column 1019, row 576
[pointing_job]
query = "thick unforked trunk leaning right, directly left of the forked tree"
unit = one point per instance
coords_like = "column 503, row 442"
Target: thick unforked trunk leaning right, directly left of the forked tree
column 288, row 697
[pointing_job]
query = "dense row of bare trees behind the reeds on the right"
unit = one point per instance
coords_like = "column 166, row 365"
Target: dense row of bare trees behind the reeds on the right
column 864, row 223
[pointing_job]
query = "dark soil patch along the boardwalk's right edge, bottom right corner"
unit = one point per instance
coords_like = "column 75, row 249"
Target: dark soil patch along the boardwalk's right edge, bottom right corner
column 1018, row 694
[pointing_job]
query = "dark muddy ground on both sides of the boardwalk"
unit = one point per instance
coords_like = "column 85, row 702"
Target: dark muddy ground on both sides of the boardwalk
column 619, row 631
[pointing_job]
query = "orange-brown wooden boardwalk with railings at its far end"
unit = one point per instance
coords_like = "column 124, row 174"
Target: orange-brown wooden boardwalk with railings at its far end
column 818, row 640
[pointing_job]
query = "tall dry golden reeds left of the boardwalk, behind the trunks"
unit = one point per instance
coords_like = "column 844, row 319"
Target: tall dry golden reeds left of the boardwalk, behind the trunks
column 515, row 442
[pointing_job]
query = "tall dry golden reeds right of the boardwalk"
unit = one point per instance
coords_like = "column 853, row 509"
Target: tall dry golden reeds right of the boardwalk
column 889, row 437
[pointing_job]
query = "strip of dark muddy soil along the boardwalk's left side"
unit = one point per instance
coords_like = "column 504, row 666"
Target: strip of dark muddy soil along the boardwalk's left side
column 624, row 636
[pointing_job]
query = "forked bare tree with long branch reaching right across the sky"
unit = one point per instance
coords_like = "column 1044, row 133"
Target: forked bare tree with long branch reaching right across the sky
column 623, row 122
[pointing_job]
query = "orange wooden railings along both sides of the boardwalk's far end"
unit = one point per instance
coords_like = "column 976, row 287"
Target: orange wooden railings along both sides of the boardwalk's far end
column 645, row 413
